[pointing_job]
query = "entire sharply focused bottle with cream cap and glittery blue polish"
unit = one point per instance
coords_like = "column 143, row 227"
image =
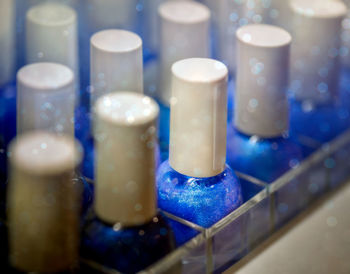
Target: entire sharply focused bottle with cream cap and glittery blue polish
column 195, row 183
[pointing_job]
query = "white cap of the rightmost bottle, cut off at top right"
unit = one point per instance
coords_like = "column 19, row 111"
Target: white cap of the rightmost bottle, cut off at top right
column 315, row 49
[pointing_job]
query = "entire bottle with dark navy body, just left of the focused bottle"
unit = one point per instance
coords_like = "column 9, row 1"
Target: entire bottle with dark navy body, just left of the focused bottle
column 125, row 233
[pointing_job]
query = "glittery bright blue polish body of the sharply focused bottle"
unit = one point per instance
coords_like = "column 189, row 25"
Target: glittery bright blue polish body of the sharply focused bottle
column 202, row 201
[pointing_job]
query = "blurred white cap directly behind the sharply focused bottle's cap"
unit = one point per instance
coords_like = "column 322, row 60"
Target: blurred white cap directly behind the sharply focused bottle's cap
column 184, row 34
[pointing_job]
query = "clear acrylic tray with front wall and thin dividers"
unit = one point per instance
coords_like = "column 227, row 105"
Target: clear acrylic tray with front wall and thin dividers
column 266, row 208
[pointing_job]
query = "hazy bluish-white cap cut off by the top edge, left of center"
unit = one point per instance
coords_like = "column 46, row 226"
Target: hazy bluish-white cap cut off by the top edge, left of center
column 107, row 14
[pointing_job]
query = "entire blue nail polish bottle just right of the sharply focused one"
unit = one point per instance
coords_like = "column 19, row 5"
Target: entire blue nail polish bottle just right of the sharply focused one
column 256, row 142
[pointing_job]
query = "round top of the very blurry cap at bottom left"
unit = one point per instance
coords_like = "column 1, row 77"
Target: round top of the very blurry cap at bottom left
column 43, row 153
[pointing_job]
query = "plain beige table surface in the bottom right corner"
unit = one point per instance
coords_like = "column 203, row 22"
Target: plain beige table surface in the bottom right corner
column 315, row 242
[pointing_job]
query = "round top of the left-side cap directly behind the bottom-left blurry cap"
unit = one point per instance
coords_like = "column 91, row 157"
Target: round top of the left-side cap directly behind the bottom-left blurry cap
column 44, row 76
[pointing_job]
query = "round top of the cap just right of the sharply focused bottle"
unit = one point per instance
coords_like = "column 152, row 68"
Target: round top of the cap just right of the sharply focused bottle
column 263, row 36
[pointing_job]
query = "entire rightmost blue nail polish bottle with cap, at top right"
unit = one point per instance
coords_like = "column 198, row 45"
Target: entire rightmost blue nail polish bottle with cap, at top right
column 317, row 111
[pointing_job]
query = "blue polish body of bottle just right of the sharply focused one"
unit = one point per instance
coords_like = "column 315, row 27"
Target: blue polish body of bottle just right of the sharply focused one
column 264, row 159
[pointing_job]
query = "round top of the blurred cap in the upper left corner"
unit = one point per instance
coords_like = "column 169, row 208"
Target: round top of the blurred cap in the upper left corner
column 51, row 14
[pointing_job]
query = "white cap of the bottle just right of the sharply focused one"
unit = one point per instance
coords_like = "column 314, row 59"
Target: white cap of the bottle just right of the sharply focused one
column 261, row 106
